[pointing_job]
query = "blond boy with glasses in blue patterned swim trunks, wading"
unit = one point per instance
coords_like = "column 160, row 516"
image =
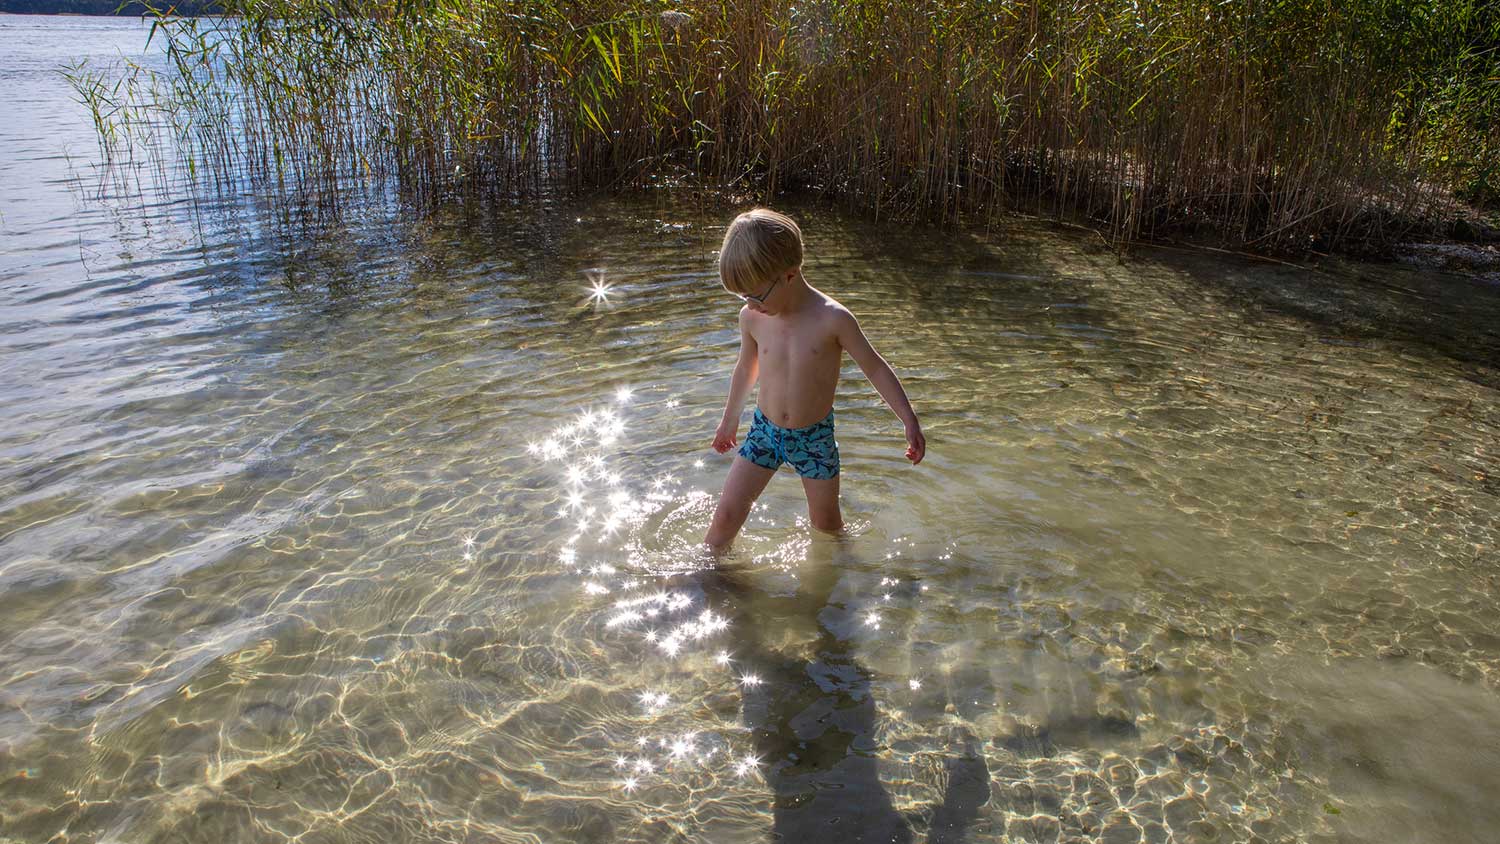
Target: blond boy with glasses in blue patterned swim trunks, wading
column 793, row 340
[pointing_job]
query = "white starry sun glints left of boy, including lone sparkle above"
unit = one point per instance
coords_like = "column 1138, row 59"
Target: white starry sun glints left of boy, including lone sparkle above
column 605, row 513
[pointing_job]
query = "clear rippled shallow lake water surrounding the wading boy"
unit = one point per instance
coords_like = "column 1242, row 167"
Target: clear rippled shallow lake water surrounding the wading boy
column 389, row 536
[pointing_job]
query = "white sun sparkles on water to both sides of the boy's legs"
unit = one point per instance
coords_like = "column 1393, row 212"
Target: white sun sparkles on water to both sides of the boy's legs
column 641, row 611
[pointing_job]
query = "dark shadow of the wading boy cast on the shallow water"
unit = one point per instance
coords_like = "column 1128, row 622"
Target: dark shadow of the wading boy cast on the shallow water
column 814, row 717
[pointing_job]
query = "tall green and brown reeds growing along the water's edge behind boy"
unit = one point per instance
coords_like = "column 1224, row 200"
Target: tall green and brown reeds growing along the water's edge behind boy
column 1271, row 124
